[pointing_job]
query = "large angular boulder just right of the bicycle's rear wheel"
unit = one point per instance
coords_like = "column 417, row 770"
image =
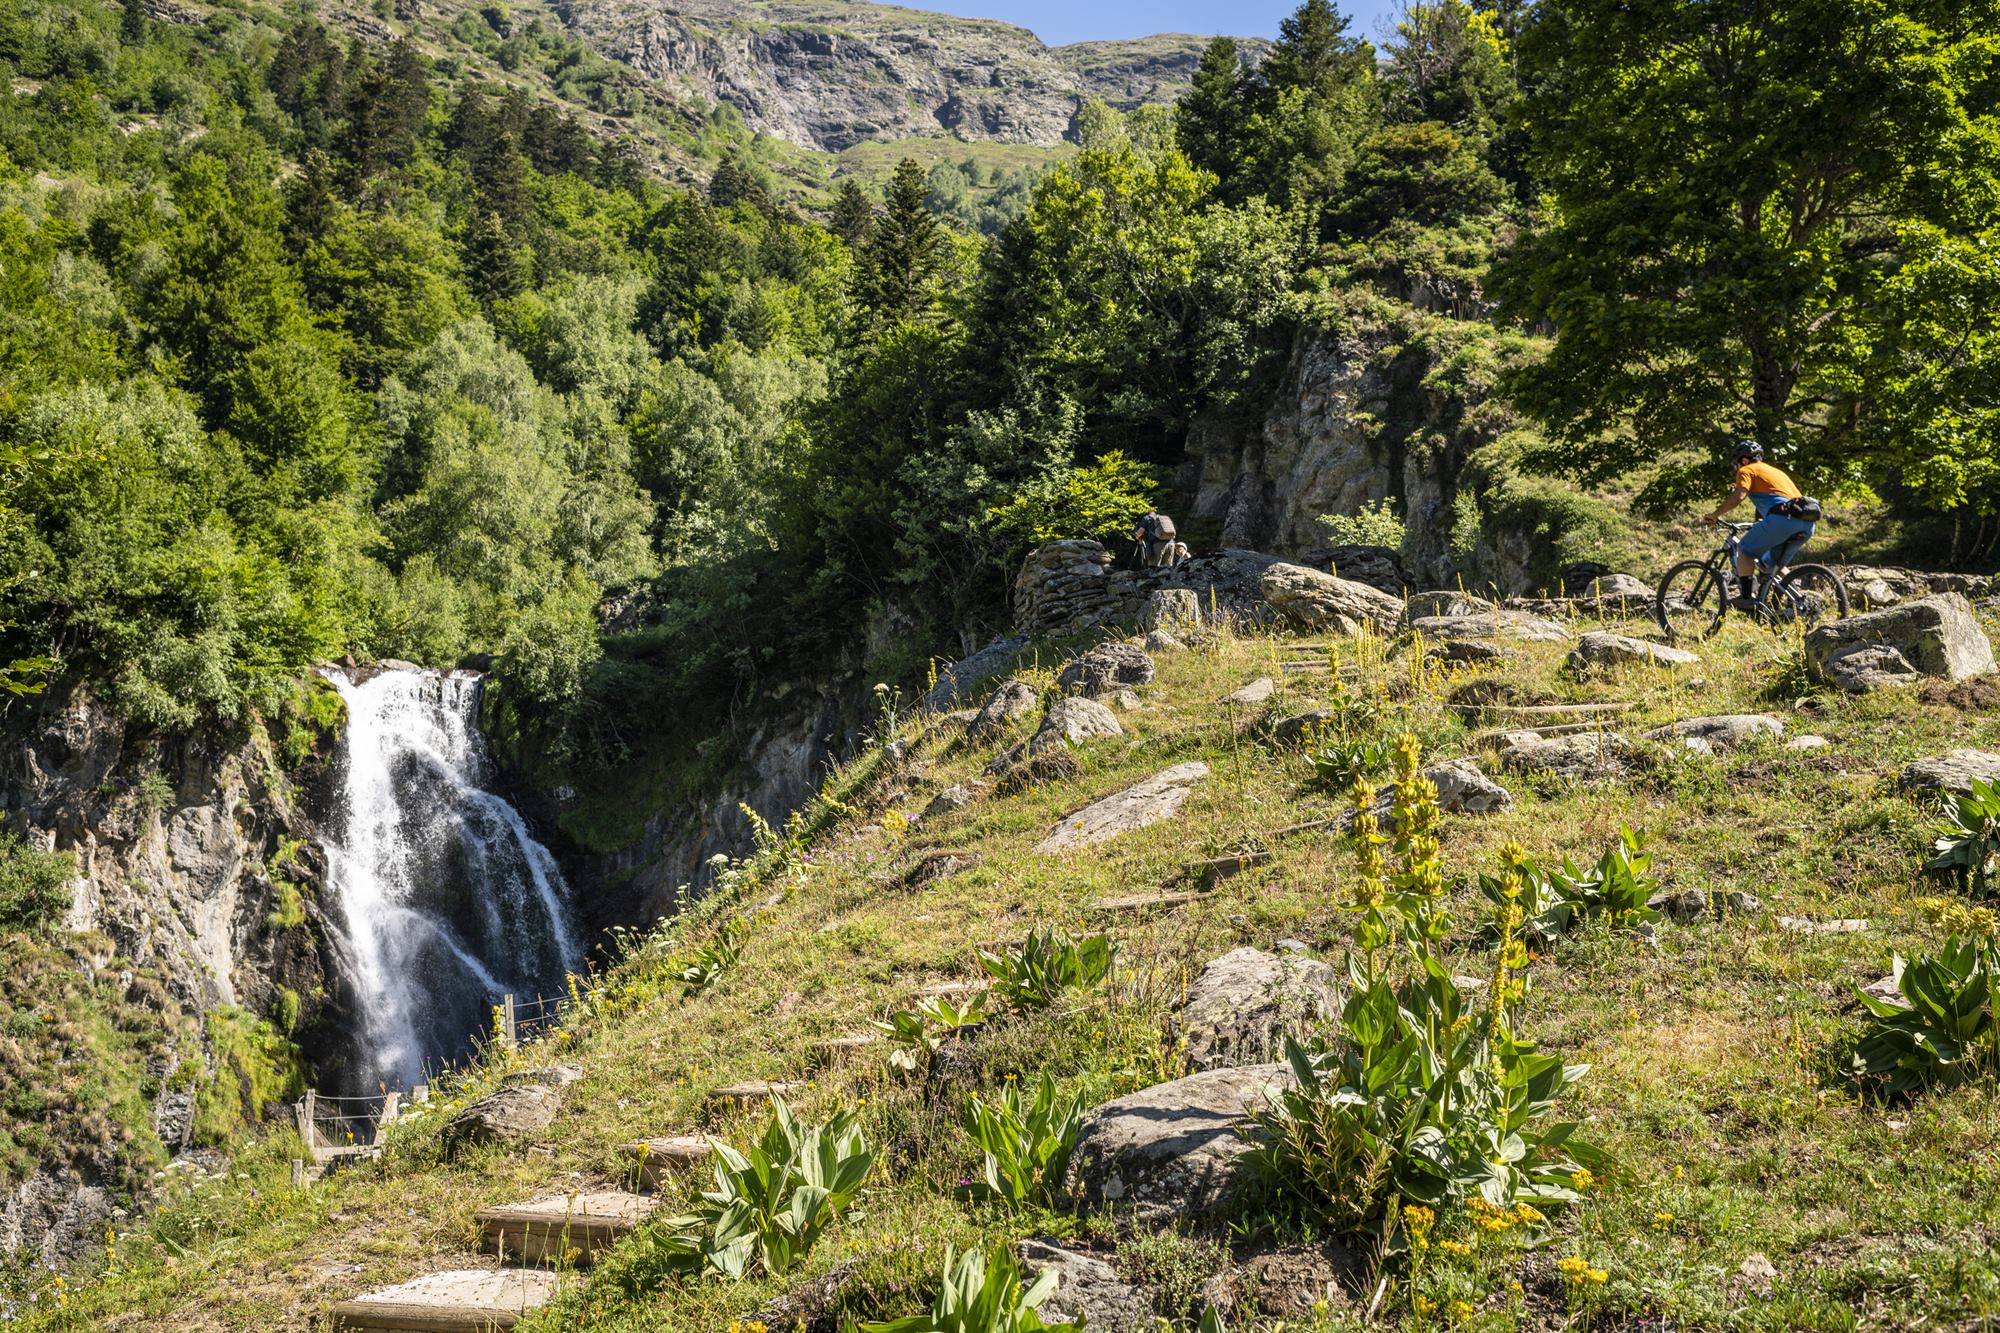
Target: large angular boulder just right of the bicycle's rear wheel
column 1927, row 637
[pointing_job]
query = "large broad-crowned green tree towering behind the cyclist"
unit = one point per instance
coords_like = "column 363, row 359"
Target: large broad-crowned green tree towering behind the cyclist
column 1763, row 249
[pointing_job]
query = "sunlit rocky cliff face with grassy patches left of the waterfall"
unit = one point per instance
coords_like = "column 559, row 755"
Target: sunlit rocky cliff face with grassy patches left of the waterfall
column 195, row 906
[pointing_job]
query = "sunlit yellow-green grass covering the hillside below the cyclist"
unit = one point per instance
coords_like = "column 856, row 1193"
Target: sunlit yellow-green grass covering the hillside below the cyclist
column 1717, row 1056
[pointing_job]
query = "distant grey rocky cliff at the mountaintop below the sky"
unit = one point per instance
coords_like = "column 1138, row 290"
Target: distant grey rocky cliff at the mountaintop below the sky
column 839, row 75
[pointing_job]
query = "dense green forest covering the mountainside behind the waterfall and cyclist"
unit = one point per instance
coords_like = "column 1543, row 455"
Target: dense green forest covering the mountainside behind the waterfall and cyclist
column 319, row 347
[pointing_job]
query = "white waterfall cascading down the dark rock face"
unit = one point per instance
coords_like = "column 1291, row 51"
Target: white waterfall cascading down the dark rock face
column 443, row 898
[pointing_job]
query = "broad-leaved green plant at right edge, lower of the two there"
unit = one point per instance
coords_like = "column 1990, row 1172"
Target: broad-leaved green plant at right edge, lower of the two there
column 1947, row 1030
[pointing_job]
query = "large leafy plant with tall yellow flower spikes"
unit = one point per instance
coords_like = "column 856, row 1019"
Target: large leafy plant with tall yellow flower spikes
column 1425, row 1098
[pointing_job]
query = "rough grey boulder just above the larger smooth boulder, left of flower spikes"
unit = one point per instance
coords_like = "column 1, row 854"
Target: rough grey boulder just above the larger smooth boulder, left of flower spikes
column 1247, row 1004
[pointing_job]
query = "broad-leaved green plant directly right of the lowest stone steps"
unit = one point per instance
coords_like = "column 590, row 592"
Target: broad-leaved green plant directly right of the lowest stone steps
column 771, row 1202
